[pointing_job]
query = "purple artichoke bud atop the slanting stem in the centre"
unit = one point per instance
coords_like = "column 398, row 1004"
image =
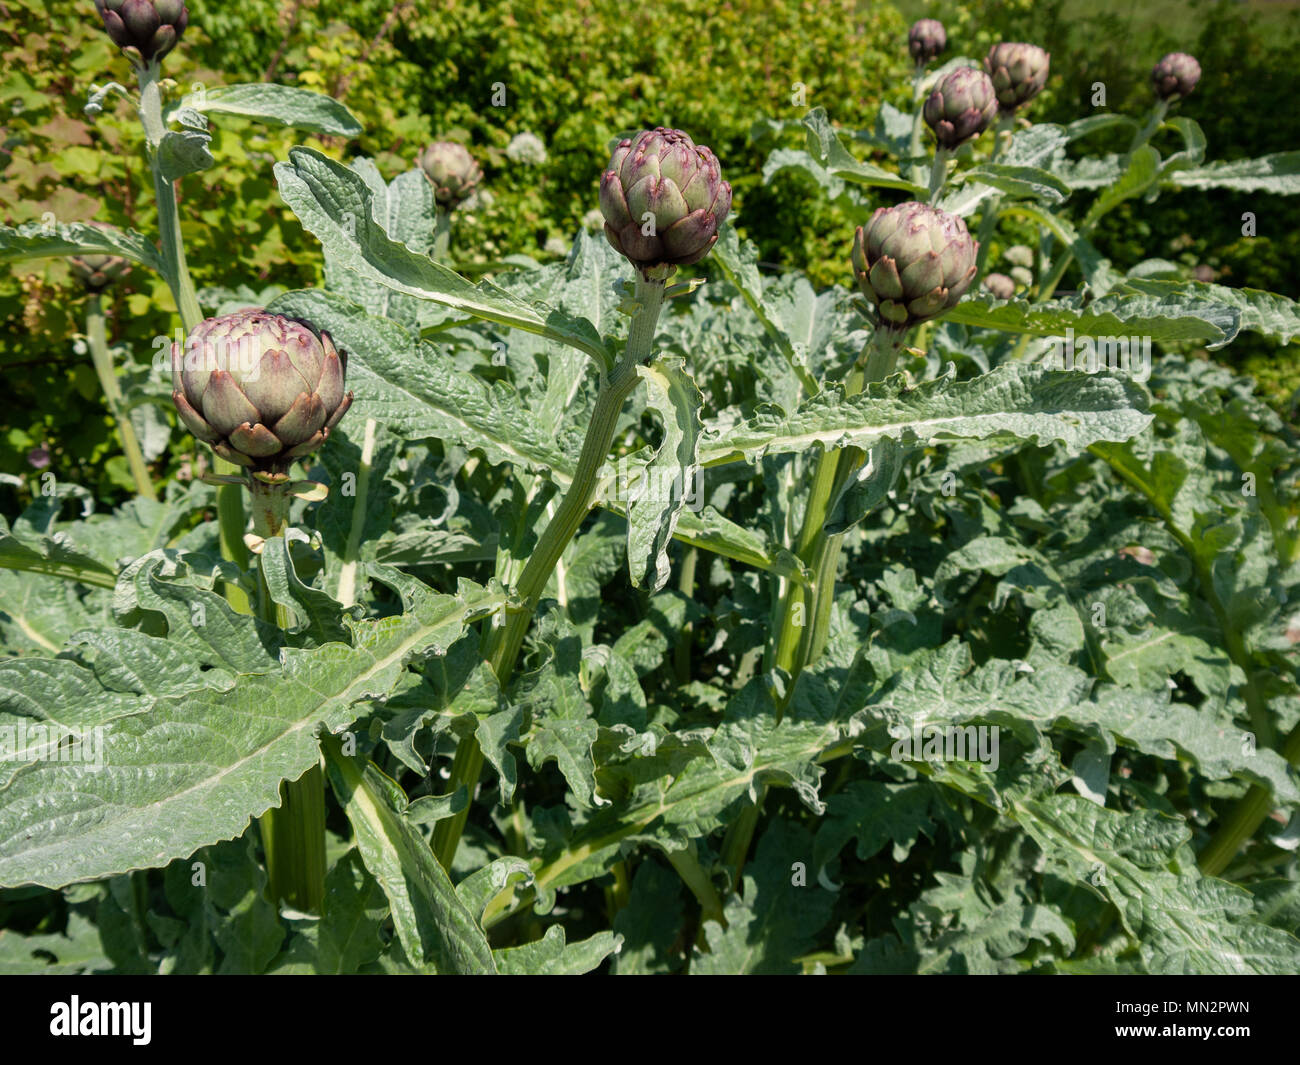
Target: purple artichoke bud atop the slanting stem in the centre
column 664, row 200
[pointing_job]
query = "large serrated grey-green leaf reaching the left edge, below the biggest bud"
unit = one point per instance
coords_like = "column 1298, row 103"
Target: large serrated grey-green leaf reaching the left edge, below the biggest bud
column 193, row 770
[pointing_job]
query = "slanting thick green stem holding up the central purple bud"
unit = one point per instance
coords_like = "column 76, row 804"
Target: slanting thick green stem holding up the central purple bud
column 506, row 635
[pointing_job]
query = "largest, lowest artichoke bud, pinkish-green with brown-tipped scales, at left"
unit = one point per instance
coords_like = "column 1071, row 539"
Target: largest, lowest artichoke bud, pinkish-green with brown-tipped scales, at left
column 261, row 389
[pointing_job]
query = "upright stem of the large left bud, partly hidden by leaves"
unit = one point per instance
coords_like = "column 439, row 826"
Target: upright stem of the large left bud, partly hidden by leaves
column 293, row 837
